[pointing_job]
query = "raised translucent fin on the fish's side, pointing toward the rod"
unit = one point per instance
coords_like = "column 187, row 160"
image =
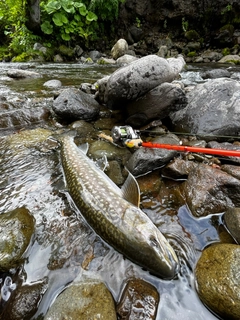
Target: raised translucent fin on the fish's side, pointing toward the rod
column 130, row 190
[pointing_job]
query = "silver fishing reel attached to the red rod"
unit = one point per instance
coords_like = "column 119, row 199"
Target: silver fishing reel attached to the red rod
column 126, row 135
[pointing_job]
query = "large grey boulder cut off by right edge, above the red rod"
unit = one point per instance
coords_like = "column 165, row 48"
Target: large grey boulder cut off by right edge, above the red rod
column 213, row 107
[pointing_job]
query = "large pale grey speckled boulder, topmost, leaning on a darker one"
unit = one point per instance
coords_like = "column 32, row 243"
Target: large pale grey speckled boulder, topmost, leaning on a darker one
column 136, row 79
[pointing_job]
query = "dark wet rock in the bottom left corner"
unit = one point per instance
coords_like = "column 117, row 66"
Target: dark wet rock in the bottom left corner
column 24, row 301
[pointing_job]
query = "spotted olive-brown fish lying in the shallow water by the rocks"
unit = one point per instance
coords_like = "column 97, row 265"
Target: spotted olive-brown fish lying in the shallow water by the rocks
column 114, row 213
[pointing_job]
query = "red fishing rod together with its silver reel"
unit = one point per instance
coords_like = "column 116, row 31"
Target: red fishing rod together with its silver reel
column 131, row 138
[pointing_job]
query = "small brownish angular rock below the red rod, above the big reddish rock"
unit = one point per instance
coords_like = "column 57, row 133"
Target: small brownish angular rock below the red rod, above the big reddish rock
column 179, row 168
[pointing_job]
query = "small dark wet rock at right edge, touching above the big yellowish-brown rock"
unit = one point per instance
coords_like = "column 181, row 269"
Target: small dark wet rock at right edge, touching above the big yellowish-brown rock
column 232, row 220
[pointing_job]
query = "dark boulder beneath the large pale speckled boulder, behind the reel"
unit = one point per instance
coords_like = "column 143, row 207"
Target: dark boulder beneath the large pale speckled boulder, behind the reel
column 158, row 103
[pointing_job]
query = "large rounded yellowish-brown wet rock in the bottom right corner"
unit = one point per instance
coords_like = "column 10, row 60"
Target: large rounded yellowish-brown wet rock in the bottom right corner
column 218, row 283
